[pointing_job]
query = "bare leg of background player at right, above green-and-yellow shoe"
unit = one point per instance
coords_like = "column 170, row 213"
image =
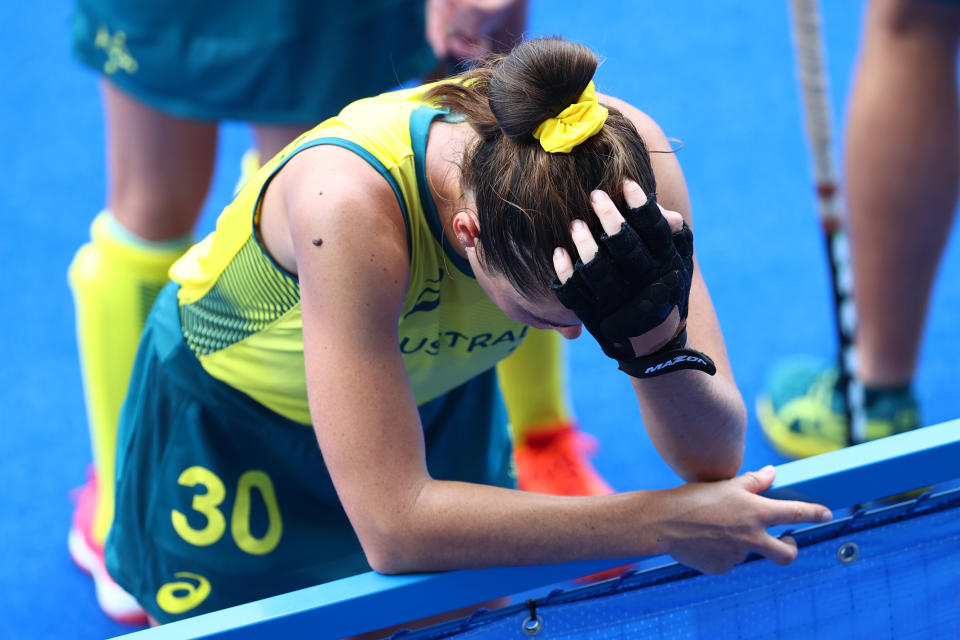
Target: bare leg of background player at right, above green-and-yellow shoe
column 902, row 163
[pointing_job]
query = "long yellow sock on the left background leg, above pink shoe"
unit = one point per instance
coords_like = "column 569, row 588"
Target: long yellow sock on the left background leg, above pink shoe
column 114, row 278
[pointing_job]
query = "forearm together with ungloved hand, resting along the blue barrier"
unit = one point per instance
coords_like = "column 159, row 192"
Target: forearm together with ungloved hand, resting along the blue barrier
column 709, row 526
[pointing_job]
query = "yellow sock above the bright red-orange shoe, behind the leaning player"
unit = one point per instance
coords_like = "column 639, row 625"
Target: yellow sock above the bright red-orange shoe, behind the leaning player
column 532, row 383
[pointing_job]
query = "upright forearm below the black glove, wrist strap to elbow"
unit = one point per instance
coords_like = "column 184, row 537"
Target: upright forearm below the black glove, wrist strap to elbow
column 696, row 421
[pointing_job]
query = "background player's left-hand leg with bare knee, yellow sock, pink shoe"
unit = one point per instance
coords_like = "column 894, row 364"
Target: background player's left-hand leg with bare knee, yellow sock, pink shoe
column 159, row 172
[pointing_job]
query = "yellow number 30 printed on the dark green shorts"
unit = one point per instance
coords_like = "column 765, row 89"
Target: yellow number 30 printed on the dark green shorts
column 208, row 504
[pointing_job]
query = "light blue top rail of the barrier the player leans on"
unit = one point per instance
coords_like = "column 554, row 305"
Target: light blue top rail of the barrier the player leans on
column 371, row 601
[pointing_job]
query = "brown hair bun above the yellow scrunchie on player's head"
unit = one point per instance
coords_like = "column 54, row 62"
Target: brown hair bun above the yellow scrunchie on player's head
column 537, row 80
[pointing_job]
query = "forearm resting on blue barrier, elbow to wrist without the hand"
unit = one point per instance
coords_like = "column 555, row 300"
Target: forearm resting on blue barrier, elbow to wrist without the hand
column 453, row 525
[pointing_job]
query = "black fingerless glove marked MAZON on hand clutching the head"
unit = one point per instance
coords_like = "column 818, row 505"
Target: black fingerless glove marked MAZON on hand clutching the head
column 633, row 283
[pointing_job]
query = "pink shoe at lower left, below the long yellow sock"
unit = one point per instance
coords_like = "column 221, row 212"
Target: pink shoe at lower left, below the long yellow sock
column 88, row 555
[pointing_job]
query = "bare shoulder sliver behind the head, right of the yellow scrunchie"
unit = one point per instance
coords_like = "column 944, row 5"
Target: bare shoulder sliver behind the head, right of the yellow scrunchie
column 671, row 185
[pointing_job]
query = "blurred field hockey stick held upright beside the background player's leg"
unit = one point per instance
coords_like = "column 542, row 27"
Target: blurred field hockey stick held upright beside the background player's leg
column 813, row 86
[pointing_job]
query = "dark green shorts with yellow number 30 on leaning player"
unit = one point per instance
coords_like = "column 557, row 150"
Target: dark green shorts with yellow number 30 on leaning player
column 221, row 501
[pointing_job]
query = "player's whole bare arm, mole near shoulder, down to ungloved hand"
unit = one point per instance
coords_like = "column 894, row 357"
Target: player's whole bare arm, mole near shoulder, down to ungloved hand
column 368, row 428
